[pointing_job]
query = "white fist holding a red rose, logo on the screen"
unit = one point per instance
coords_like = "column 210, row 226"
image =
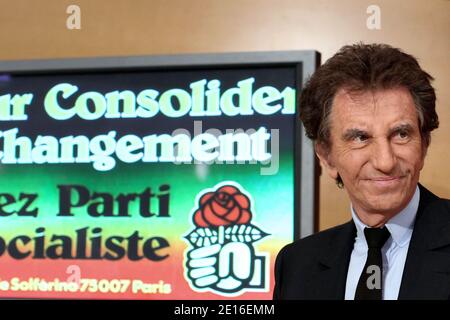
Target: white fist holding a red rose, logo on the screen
column 222, row 258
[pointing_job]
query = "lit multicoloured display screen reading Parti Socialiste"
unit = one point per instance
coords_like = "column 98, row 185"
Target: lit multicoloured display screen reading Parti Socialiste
column 146, row 184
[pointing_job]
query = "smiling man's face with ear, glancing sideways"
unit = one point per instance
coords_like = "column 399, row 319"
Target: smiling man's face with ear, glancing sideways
column 376, row 148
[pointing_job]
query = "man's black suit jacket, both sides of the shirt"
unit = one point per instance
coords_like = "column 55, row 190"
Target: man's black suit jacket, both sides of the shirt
column 316, row 267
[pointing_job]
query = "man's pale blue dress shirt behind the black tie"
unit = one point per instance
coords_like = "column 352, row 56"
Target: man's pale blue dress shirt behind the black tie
column 393, row 252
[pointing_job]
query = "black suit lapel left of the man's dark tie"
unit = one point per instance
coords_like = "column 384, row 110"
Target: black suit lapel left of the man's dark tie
column 330, row 279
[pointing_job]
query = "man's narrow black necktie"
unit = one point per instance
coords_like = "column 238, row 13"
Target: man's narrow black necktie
column 370, row 282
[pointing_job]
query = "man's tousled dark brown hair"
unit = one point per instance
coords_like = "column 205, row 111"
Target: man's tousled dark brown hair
column 365, row 67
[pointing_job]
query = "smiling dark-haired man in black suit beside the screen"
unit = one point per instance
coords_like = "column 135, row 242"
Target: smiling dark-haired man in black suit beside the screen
column 370, row 110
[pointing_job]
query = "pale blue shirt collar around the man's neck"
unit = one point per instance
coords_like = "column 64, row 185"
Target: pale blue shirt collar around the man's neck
column 400, row 226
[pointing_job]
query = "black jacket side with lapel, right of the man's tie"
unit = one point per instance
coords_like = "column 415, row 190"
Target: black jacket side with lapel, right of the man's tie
column 427, row 269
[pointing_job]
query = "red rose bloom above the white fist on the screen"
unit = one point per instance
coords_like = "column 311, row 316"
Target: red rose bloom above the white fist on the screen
column 227, row 205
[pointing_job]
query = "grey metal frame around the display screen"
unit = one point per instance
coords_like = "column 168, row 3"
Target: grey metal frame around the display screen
column 305, row 63
